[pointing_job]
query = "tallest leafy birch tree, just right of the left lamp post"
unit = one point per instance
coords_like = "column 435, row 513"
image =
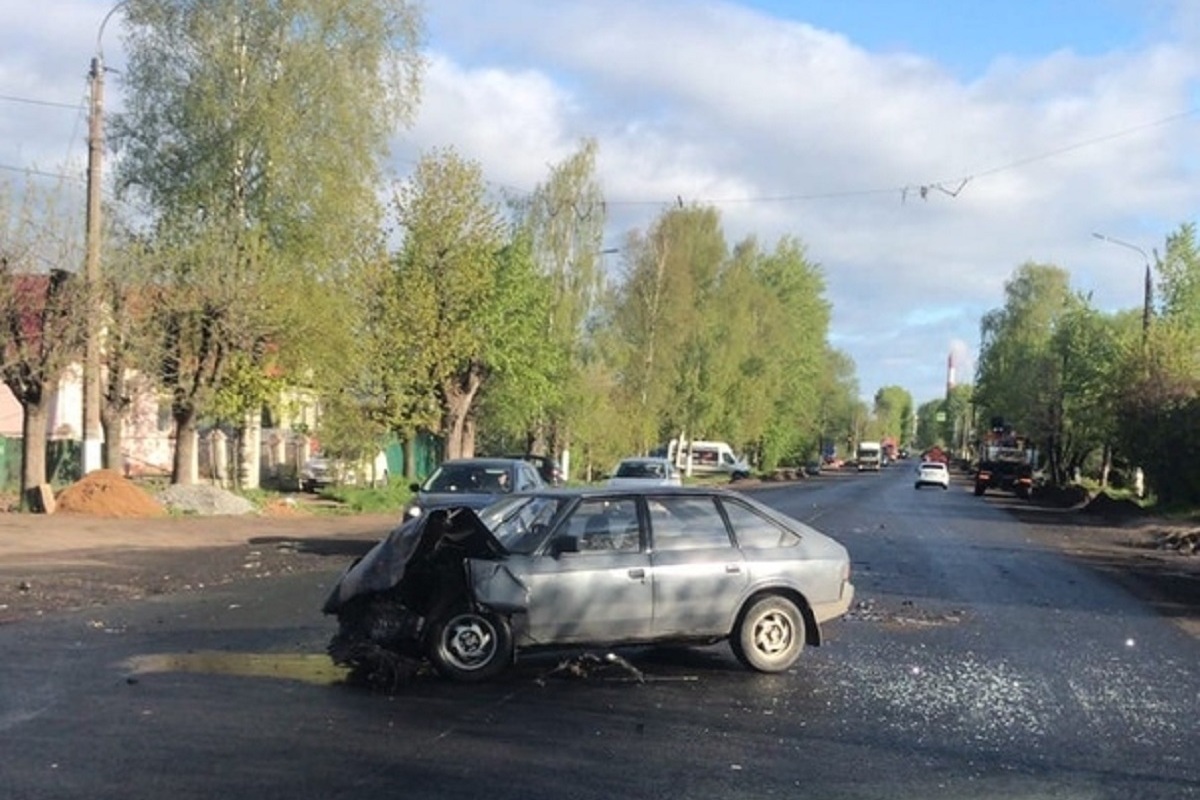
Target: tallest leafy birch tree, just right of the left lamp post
column 254, row 136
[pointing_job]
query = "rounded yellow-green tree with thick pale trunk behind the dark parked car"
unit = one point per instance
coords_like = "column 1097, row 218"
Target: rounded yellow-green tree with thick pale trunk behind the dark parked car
column 476, row 303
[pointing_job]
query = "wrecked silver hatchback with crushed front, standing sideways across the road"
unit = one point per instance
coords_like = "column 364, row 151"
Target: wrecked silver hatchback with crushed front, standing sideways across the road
column 467, row 591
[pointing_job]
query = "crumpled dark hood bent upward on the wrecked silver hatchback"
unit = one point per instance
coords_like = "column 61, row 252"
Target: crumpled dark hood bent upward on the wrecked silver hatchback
column 407, row 548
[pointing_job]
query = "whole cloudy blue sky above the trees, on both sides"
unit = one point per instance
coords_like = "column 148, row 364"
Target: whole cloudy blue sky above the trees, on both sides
column 921, row 151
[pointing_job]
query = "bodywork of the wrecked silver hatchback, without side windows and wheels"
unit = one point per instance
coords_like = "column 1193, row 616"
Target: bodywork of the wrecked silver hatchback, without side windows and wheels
column 613, row 597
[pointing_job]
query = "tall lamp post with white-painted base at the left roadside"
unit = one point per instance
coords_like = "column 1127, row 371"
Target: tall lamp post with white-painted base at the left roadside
column 93, row 438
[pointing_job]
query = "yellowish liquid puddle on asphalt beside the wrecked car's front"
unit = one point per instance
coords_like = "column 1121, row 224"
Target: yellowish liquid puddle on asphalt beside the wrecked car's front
column 311, row 669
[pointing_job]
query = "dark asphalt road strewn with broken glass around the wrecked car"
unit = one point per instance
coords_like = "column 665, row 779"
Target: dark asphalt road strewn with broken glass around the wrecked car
column 977, row 665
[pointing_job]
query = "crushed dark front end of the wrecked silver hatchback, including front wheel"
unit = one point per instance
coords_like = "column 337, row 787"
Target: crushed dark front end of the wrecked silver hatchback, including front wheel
column 409, row 588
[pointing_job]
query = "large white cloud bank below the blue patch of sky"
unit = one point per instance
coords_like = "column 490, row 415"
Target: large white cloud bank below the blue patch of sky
column 719, row 105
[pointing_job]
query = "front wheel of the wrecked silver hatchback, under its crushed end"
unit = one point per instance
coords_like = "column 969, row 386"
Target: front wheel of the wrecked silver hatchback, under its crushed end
column 471, row 646
